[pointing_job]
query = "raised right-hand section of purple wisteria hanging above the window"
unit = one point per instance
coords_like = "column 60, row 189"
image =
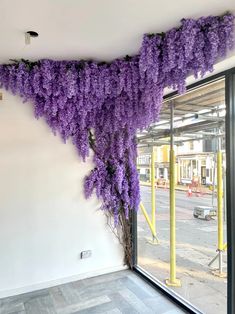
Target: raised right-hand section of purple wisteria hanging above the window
column 167, row 59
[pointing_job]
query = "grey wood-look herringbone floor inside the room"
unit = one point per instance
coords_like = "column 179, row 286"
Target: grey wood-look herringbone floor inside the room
column 115, row 293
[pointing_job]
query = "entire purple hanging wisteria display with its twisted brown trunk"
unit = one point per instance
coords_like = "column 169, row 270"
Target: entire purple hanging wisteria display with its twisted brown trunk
column 100, row 106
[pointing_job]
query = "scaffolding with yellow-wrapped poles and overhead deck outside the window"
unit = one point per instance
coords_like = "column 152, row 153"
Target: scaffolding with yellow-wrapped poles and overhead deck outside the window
column 209, row 117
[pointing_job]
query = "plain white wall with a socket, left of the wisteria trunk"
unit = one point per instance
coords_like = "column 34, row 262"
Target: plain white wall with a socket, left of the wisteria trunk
column 45, row 222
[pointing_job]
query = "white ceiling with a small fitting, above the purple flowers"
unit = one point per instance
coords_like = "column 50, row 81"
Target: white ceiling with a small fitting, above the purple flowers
column 98, row 29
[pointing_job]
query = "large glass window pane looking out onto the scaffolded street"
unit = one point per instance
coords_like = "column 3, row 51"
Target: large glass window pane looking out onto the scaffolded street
column 200, row 199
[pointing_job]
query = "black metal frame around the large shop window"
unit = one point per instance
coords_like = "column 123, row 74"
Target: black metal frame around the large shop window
column 185, row 305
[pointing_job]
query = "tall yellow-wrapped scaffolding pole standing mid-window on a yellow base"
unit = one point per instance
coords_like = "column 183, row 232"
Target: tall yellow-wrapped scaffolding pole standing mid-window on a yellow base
column 172, row 281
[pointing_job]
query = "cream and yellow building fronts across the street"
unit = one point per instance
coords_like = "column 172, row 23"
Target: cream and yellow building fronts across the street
column 194, row 161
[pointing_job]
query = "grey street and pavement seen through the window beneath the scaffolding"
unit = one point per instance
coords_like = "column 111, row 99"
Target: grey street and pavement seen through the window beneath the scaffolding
column 196, row 246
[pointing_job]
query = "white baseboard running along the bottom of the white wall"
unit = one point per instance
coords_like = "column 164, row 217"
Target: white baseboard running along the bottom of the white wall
column 59, row 281
